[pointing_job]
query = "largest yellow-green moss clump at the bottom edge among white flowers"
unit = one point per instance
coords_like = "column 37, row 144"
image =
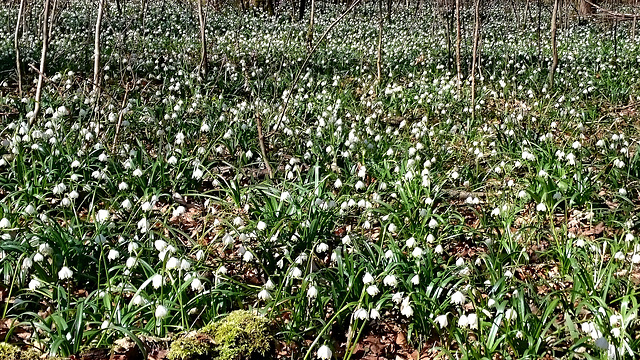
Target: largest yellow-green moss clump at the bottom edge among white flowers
column 237, row 336
